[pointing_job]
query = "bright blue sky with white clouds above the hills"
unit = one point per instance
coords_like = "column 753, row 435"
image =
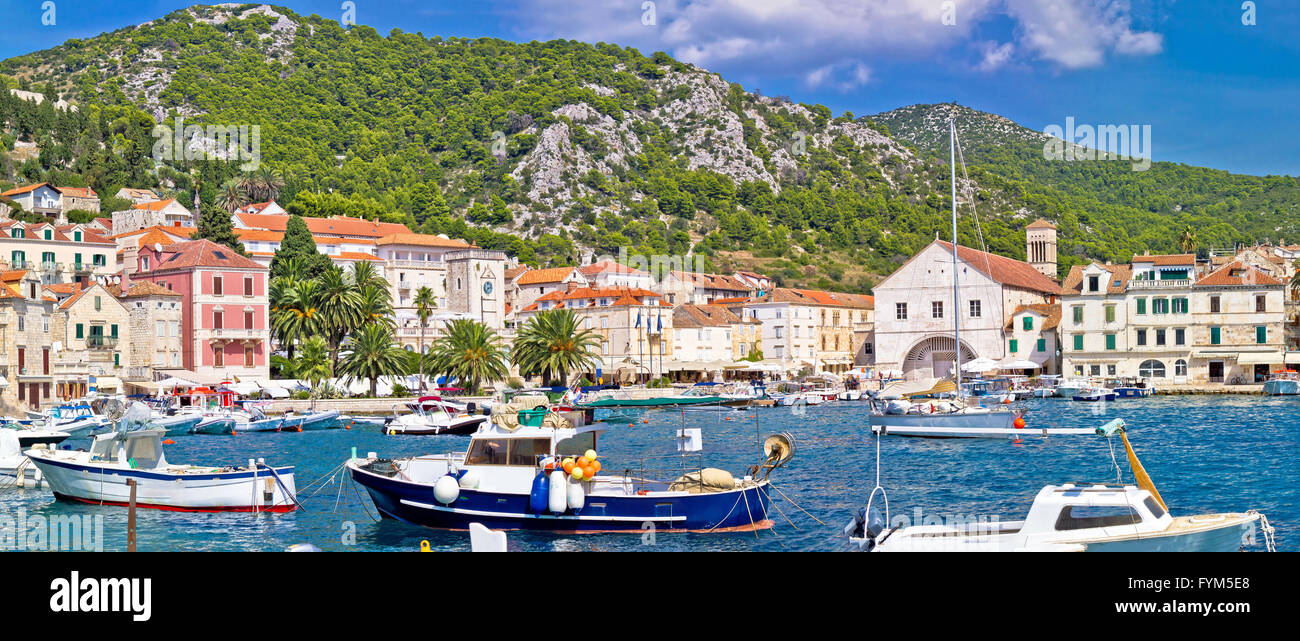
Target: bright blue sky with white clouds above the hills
column 1217, row 81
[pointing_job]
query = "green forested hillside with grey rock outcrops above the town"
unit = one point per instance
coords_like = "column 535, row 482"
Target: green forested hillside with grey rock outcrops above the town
column 556, row 150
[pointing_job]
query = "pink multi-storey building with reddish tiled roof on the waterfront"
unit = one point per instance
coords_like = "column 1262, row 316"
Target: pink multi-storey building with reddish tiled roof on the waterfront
column 224, row 320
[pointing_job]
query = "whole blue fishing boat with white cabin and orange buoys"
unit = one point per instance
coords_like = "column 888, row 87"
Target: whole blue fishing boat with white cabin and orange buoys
column 532, row 478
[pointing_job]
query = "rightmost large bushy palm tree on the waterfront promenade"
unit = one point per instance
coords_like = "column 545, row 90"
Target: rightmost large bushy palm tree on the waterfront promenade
column 553, row 345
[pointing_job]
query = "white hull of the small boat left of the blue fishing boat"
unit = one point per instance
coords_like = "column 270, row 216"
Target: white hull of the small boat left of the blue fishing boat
column 219, row 492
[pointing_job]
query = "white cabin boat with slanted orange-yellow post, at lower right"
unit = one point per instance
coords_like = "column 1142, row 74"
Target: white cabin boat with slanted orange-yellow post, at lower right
column 1076, row 518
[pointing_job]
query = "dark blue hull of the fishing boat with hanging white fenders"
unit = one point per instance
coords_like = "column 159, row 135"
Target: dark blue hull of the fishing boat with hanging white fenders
column 725, row 512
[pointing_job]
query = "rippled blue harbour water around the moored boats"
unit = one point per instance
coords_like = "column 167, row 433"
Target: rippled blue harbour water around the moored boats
column 1206, row 454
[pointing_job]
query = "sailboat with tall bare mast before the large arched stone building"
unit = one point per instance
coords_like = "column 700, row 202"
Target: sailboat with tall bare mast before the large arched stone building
column 963, row 417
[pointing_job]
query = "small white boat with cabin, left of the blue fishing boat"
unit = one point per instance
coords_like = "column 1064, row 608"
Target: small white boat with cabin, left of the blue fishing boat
column 101, row 477
